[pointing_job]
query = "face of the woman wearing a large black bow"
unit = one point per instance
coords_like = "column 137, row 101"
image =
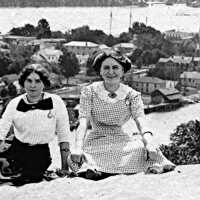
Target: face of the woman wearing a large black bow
column 33, row 85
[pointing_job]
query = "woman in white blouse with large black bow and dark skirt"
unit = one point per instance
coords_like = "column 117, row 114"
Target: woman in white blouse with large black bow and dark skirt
column 37, row 118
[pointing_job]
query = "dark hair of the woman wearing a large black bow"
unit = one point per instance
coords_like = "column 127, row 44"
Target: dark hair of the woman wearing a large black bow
column 38, row 69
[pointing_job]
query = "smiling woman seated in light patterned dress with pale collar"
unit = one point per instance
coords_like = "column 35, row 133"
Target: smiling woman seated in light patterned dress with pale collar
column 108, row 105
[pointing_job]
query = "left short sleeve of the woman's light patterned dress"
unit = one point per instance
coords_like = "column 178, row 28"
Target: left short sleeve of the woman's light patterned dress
column 85, row 103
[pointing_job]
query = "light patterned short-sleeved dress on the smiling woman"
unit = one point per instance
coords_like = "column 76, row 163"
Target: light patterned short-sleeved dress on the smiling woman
column 110, row 149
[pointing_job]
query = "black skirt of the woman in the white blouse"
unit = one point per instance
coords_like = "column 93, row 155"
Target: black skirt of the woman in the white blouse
column 31, row 161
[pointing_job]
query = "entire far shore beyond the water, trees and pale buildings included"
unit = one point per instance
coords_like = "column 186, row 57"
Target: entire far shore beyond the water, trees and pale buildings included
column 57, row 3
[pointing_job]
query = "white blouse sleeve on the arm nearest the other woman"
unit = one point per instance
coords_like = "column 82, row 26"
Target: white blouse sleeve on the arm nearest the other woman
column 62, row 121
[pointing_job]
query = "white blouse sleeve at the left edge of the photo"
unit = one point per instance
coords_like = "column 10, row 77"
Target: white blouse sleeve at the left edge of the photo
column 7, row 120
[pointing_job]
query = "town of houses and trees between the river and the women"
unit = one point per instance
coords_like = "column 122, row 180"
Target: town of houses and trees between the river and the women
column 165, row 66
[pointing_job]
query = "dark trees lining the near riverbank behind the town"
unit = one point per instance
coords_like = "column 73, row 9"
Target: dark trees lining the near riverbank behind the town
column 151, row 44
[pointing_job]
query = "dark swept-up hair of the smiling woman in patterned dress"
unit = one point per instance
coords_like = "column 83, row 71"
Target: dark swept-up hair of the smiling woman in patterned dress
column 99, row 56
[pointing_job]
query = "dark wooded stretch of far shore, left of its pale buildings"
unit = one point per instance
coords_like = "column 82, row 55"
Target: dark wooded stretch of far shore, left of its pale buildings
column 57, row 3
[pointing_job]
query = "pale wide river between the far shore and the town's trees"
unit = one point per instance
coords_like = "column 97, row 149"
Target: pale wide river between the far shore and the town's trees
column 160, row 16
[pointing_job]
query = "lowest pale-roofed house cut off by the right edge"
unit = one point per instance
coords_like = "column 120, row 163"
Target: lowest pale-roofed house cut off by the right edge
column 190, row 79
